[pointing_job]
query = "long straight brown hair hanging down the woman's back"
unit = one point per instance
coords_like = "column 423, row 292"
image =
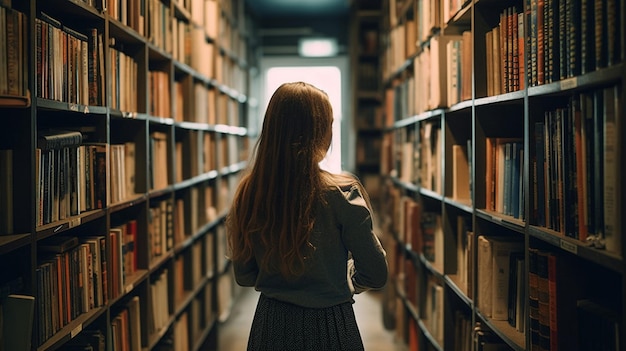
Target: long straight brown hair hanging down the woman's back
column 276, row 197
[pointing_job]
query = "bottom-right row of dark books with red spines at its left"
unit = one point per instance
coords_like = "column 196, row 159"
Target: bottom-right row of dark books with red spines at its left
column 560, row 307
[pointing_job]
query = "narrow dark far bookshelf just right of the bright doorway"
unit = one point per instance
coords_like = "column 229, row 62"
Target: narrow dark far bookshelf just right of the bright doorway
column 365, row 59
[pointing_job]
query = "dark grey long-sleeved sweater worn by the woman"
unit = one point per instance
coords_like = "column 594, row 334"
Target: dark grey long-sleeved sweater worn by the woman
column 343, row 228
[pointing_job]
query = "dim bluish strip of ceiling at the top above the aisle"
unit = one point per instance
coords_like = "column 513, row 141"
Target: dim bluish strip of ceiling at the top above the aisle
column 298, row 8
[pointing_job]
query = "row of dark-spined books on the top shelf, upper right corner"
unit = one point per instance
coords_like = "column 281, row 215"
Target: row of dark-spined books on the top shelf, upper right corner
column 570, row 38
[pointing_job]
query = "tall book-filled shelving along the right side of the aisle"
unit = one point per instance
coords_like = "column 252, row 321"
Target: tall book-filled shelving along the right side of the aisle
column 502, row 141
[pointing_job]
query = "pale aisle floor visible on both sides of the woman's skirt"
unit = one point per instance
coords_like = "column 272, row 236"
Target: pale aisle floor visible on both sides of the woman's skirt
column 233, row 333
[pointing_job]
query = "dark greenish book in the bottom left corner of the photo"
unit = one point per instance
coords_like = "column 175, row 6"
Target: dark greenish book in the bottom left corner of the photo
column 16, row 317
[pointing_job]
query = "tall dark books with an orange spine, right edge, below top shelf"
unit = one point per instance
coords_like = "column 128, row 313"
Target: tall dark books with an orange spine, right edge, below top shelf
column 576, row 167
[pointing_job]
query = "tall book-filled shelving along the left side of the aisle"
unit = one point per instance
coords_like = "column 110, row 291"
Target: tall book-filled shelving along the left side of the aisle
column 125, row 132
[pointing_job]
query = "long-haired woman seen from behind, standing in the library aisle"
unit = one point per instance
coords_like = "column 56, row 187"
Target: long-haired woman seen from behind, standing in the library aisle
column 301, row 236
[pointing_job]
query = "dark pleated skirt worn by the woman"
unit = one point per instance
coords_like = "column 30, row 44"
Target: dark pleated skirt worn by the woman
column 283, row 326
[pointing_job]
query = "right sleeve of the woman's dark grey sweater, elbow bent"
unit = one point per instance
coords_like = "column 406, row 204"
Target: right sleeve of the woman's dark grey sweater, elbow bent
column 368, row 266
